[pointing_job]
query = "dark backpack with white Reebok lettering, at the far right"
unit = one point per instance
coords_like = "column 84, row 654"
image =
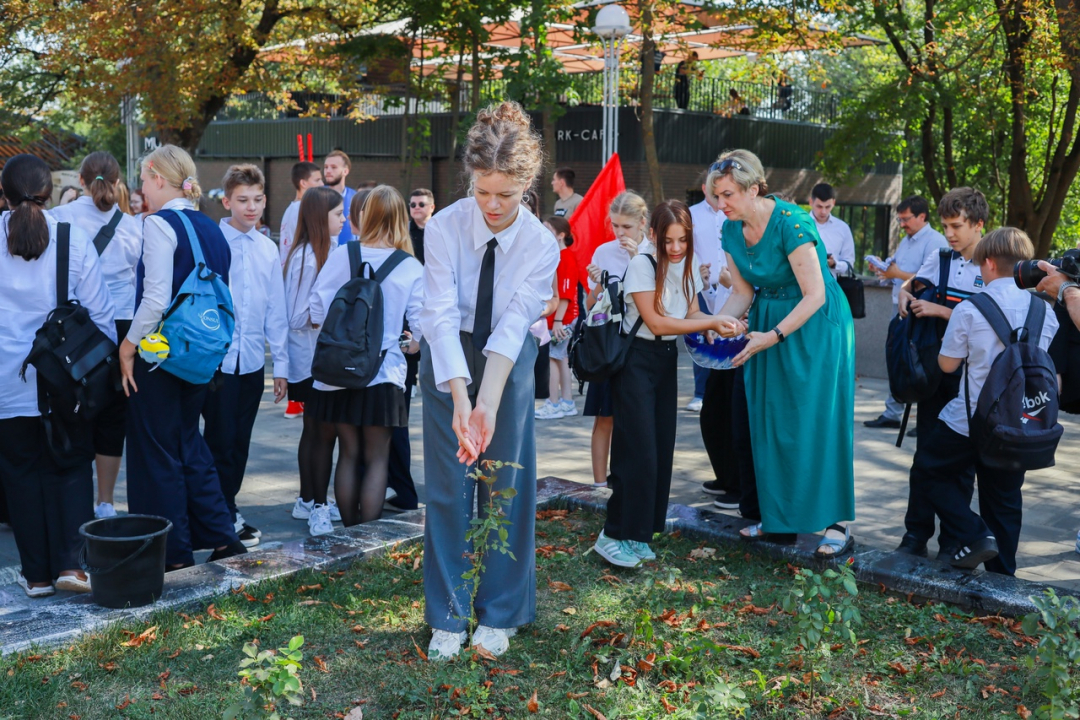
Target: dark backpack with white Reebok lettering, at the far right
column 1015, row 426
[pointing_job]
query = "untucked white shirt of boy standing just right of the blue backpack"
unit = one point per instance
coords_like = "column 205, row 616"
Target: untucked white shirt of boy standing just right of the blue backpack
column 259, row 303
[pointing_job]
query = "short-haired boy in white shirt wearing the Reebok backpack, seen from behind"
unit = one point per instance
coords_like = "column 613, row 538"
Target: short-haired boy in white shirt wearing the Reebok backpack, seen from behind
column 949, row 456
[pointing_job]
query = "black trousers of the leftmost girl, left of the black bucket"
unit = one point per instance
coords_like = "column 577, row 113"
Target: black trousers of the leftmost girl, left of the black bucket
column 50, row 502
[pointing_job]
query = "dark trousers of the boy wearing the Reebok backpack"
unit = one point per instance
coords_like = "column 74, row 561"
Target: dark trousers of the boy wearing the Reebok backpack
column 944, row 463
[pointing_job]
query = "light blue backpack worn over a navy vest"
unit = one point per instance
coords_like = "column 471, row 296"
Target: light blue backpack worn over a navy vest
column 200, row 321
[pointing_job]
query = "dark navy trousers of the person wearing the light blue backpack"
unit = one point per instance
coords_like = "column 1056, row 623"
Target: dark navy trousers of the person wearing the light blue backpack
column 170, row 469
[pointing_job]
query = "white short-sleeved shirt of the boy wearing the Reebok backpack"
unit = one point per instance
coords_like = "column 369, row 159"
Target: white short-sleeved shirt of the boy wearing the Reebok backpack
column 969, row 335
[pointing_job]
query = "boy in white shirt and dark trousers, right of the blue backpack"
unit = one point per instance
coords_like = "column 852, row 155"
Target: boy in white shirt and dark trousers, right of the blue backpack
column 259, row 303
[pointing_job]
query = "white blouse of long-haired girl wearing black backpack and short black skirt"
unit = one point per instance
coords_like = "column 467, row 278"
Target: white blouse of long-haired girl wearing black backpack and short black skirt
column 402, row 297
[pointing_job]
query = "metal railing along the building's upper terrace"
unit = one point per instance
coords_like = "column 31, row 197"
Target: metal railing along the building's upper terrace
column 703, row 96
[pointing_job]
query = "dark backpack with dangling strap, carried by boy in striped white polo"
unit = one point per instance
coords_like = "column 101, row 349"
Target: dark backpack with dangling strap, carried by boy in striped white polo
column 912, row 349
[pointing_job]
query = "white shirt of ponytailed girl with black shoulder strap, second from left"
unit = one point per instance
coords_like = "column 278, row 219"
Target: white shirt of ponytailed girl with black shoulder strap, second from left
column 121, row 255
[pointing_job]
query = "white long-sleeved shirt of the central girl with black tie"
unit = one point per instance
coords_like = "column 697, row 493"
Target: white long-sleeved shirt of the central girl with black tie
column 525, row 263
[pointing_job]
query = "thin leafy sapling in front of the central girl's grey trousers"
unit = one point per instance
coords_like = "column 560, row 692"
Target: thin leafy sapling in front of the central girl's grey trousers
column 489, row 533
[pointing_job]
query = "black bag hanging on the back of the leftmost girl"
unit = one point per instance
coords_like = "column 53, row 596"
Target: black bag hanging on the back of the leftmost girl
column 77, row 365
